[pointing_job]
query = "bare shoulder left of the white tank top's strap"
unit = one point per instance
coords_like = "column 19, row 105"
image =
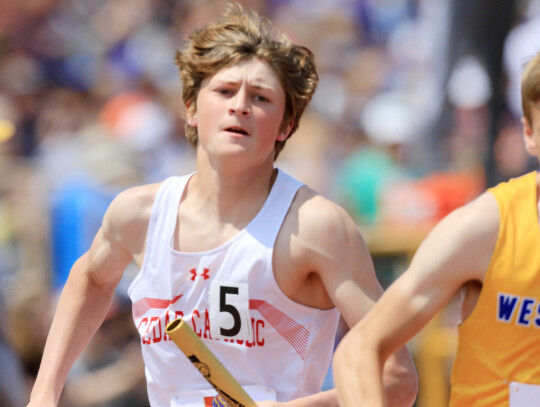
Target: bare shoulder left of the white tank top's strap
column 128, row 215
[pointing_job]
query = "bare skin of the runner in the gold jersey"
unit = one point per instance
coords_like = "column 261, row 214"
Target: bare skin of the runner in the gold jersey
column 454, row 256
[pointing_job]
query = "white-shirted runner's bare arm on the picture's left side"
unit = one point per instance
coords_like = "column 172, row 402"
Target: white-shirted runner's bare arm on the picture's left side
column 84, row 302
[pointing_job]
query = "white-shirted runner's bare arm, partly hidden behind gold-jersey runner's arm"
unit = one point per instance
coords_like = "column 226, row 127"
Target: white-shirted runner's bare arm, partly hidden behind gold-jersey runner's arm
column 329, row 247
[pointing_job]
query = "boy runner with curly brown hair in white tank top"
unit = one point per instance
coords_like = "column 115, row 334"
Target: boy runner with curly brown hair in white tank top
column 244, row 94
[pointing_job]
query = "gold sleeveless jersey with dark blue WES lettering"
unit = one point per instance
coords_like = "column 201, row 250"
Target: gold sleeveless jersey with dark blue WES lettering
column 499, row 343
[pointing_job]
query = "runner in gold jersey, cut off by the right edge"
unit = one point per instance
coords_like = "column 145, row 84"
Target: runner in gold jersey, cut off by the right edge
column 488, row 250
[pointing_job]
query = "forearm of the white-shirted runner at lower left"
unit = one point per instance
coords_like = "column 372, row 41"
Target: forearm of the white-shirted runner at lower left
column 81, row 309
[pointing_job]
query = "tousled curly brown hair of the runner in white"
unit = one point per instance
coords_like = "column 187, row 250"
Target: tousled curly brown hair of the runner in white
column 238, row 36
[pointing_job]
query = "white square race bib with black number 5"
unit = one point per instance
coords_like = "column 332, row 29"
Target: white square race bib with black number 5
column 229, row 311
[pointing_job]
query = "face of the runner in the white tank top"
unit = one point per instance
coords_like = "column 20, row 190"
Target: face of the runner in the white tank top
column 239, row 111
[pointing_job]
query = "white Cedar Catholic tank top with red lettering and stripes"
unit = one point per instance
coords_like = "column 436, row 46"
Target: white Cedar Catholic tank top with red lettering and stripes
column 275, row 348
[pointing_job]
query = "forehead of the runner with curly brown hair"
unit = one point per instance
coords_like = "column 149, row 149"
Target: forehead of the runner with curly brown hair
column 255, row 71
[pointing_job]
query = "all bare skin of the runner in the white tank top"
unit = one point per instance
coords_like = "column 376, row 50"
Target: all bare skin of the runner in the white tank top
column 234, row 176
